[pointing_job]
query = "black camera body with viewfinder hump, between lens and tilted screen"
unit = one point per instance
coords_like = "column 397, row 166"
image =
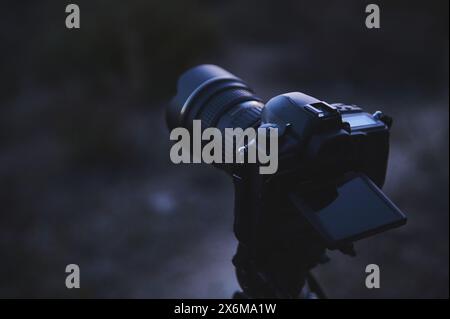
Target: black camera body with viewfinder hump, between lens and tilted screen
column 321, row 140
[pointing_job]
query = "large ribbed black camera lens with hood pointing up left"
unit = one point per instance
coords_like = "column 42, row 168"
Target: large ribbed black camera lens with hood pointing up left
column 214, row 96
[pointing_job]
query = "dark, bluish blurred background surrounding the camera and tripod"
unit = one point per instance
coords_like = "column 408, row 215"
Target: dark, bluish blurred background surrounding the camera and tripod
column 85, row 173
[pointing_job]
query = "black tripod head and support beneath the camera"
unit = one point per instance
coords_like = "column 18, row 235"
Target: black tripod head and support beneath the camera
column 276, row 251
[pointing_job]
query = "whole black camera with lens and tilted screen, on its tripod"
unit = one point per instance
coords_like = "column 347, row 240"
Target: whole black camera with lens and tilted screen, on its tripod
column 325, row 193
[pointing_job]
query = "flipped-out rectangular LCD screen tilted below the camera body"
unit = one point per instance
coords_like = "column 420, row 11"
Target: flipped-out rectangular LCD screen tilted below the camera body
column 358, row 209
